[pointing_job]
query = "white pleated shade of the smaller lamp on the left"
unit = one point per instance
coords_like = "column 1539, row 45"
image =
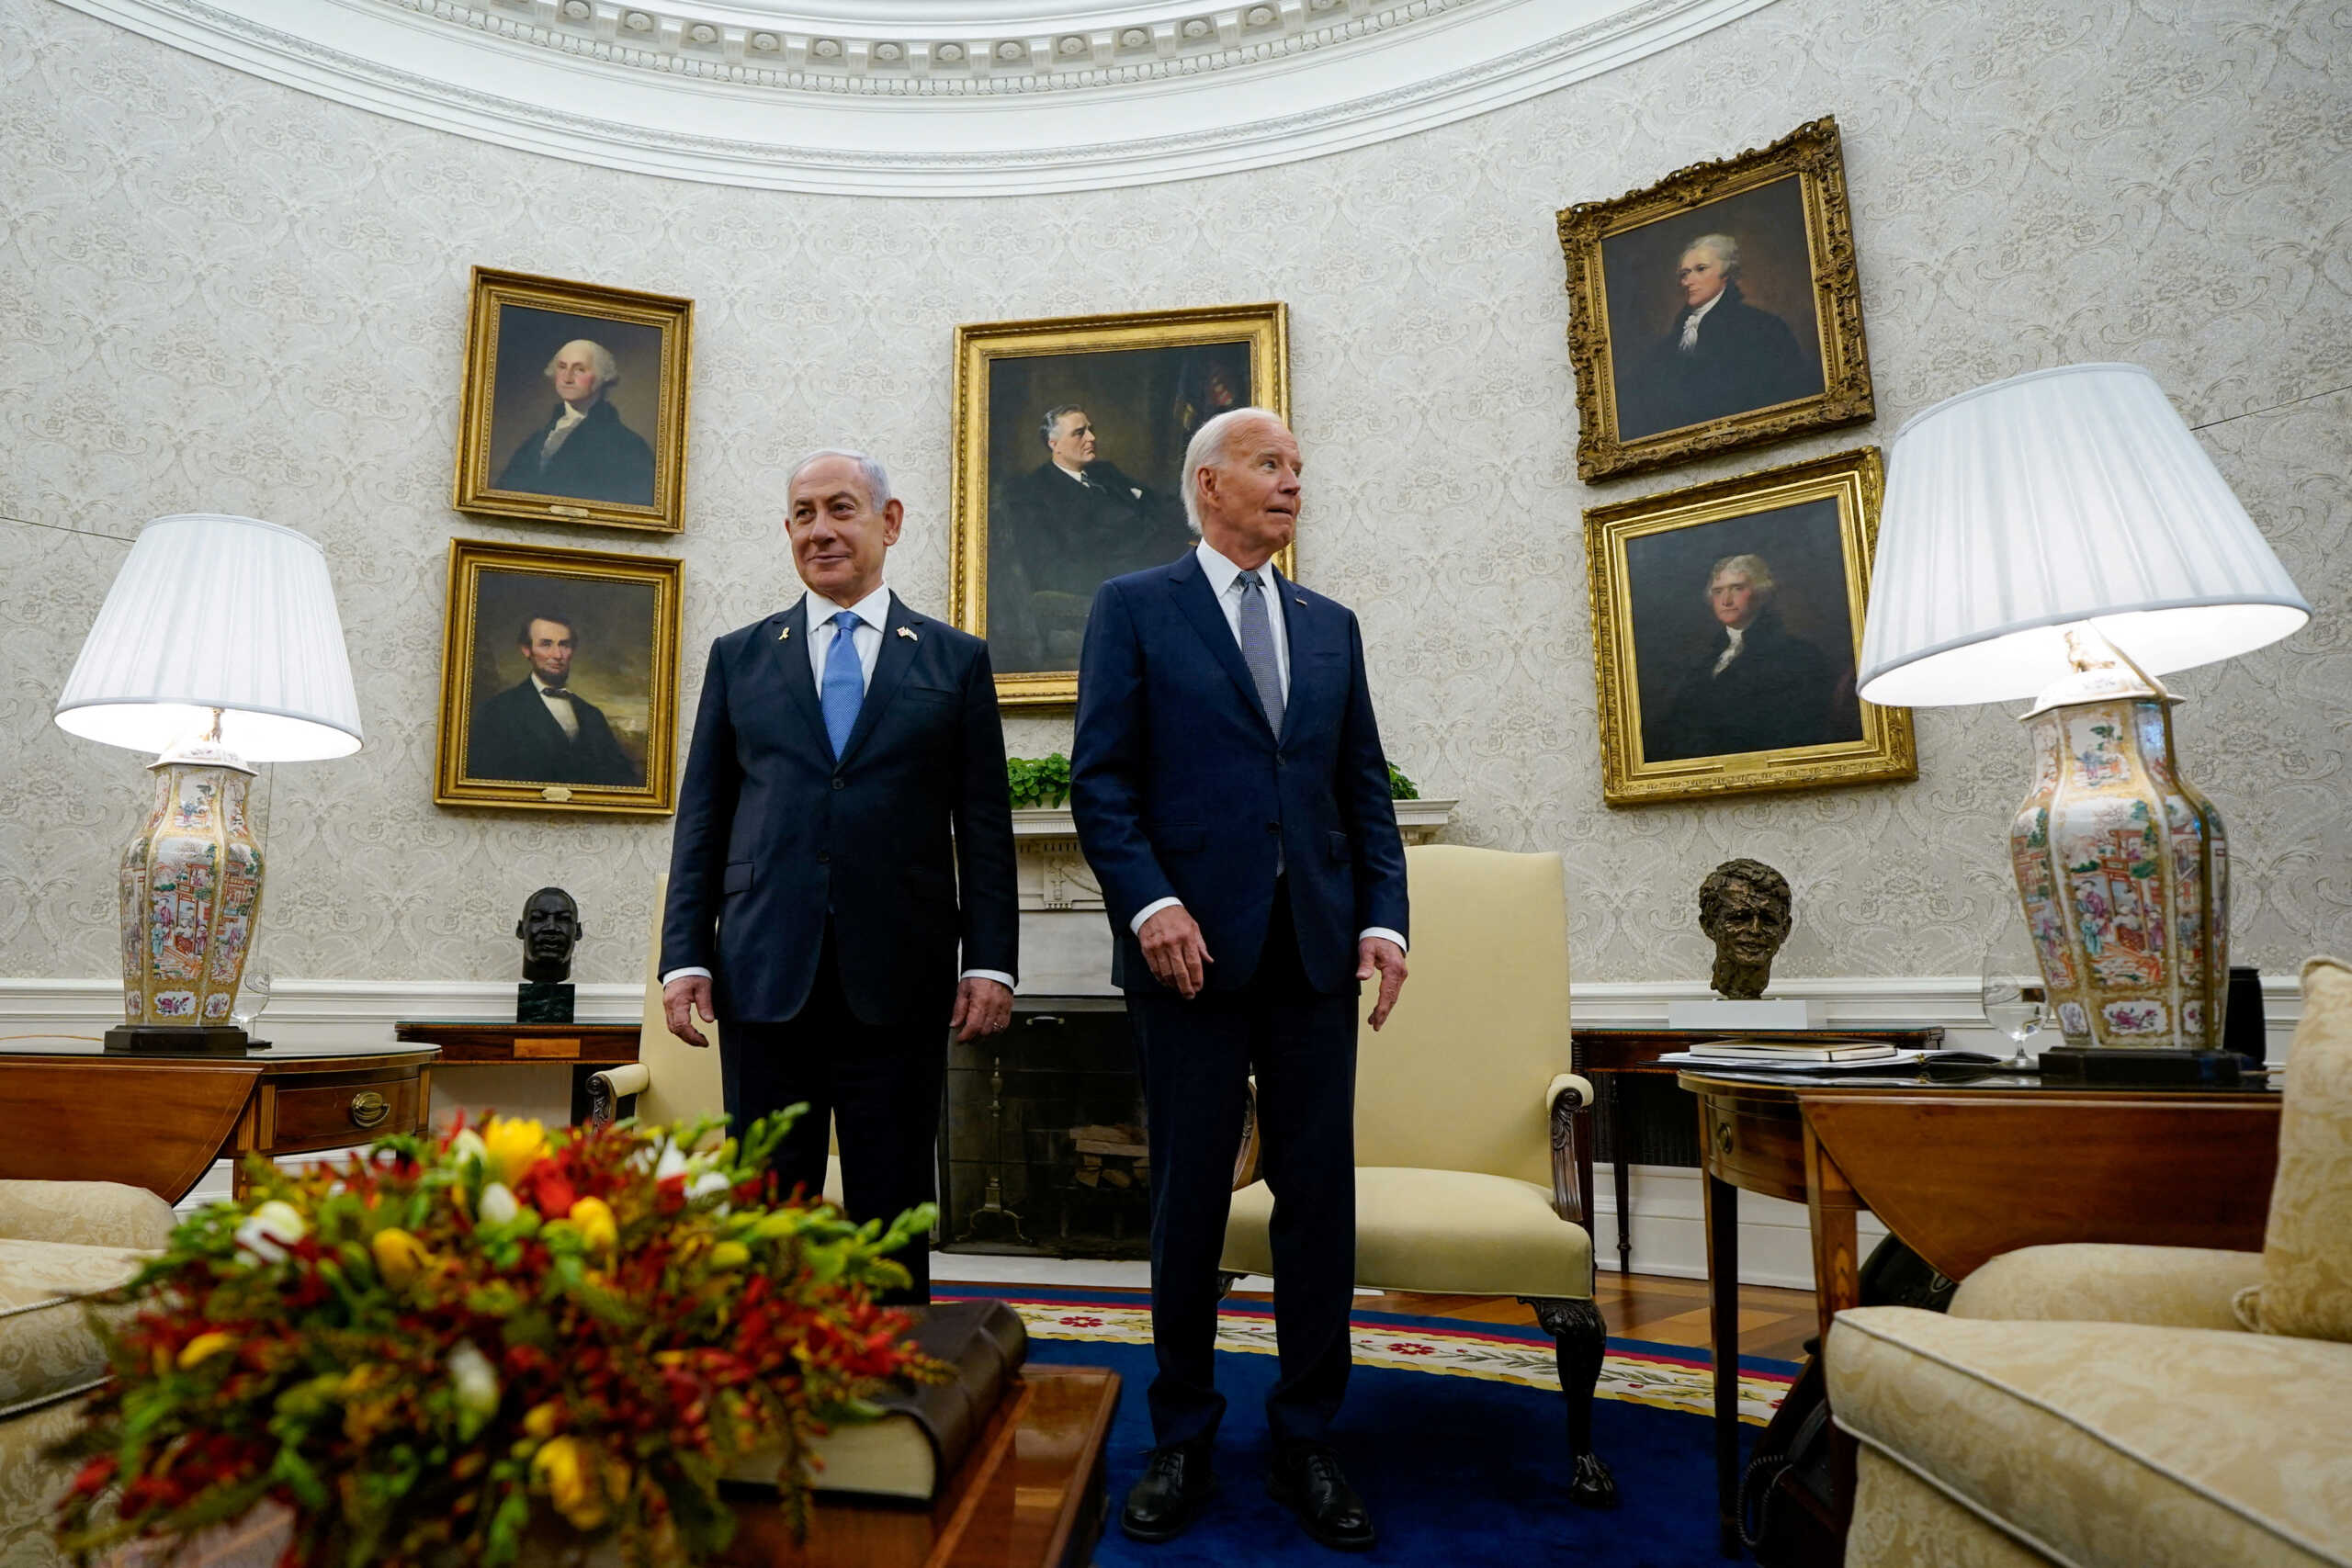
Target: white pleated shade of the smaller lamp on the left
column 218, row 612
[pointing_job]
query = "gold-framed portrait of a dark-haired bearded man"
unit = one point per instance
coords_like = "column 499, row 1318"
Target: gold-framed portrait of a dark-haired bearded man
column 559, row 681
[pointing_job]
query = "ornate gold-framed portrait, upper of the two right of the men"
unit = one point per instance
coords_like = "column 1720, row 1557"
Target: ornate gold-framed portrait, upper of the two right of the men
column 1716, row 309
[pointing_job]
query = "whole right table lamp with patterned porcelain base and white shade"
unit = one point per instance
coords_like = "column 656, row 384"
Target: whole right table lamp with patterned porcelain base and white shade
column 2062, row 537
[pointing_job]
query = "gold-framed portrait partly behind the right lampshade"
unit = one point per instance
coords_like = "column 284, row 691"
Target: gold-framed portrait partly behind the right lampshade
column 1728, row 622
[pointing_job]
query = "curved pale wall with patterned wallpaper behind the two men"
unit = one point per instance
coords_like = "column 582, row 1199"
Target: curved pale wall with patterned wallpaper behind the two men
column 229, row 295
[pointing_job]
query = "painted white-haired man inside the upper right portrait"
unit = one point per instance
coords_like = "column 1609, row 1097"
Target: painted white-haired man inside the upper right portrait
column 1723, row 356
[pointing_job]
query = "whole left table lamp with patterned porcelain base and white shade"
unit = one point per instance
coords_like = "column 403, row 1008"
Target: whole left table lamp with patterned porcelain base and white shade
column 218, row 648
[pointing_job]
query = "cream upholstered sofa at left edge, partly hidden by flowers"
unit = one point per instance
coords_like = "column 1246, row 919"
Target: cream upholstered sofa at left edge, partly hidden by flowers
column 58, row 1245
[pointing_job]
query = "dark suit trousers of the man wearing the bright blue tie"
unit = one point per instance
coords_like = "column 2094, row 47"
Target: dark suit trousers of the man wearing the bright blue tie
column 881, row 1085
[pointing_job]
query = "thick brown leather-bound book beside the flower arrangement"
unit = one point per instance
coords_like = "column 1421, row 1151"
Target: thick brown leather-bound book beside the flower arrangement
column 928, row 1428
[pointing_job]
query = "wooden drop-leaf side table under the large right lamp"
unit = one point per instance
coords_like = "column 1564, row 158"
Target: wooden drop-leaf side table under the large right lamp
column 1963, row 1174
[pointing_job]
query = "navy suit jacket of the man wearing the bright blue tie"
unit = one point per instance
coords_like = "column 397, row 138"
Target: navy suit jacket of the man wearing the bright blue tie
column 907, row 843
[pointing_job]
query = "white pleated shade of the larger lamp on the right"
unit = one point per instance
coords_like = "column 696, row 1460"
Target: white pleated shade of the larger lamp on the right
column 2045, row 502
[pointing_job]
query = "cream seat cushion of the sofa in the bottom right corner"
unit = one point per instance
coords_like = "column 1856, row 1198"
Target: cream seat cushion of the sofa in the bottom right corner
column 2113, row 1442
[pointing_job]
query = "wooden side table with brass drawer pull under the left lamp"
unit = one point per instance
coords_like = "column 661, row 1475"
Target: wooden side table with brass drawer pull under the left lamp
column 159, row 1123
